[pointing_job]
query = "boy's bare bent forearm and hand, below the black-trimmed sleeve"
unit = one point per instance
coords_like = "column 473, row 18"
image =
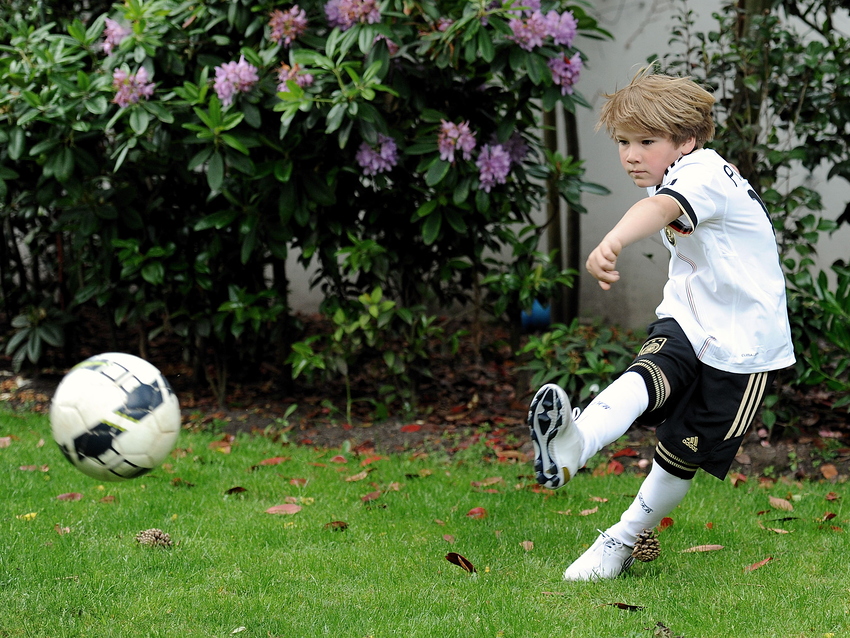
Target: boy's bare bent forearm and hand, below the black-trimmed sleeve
column 642, row 220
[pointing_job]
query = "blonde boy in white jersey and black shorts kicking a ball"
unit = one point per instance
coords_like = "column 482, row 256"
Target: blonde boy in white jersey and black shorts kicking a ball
column 722, row 330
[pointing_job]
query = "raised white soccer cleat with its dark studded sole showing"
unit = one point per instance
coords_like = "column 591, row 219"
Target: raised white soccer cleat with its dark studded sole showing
column 556, row 439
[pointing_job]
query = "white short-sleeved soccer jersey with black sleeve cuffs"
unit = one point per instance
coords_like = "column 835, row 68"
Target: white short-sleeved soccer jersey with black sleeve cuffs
column 726, row 288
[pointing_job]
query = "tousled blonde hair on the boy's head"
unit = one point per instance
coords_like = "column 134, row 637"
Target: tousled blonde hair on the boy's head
column 676, row 108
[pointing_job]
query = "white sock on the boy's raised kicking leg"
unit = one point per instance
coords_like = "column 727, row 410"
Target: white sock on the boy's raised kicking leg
column 612, row 413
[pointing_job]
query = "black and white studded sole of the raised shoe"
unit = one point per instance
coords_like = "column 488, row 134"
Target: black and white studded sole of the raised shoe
column 549, row 400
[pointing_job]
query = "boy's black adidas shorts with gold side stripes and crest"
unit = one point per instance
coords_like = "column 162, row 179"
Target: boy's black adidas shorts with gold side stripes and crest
column 703, row 419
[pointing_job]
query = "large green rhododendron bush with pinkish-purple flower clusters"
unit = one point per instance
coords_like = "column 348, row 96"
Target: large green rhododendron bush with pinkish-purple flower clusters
column 179, row 151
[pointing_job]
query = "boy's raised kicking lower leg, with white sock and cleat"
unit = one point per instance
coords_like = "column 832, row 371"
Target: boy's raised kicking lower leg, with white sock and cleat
column 563, row 441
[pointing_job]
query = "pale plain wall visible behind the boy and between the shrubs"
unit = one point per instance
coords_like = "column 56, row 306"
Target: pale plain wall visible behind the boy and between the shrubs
column 640, row 28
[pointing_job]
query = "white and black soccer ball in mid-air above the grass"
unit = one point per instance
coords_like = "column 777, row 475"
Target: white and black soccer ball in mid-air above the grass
column 114, row 416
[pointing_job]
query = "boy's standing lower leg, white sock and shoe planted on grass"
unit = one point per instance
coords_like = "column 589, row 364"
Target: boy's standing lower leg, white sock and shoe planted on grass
column 611, row 554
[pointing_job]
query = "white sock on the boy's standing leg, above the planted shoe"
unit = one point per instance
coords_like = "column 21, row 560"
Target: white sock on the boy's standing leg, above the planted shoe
column 659, row 494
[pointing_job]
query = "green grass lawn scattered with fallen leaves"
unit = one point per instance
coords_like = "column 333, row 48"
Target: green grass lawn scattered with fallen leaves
column 235, row 570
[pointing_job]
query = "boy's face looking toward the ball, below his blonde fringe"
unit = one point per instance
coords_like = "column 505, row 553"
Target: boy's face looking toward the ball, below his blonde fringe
column 646, row 156
